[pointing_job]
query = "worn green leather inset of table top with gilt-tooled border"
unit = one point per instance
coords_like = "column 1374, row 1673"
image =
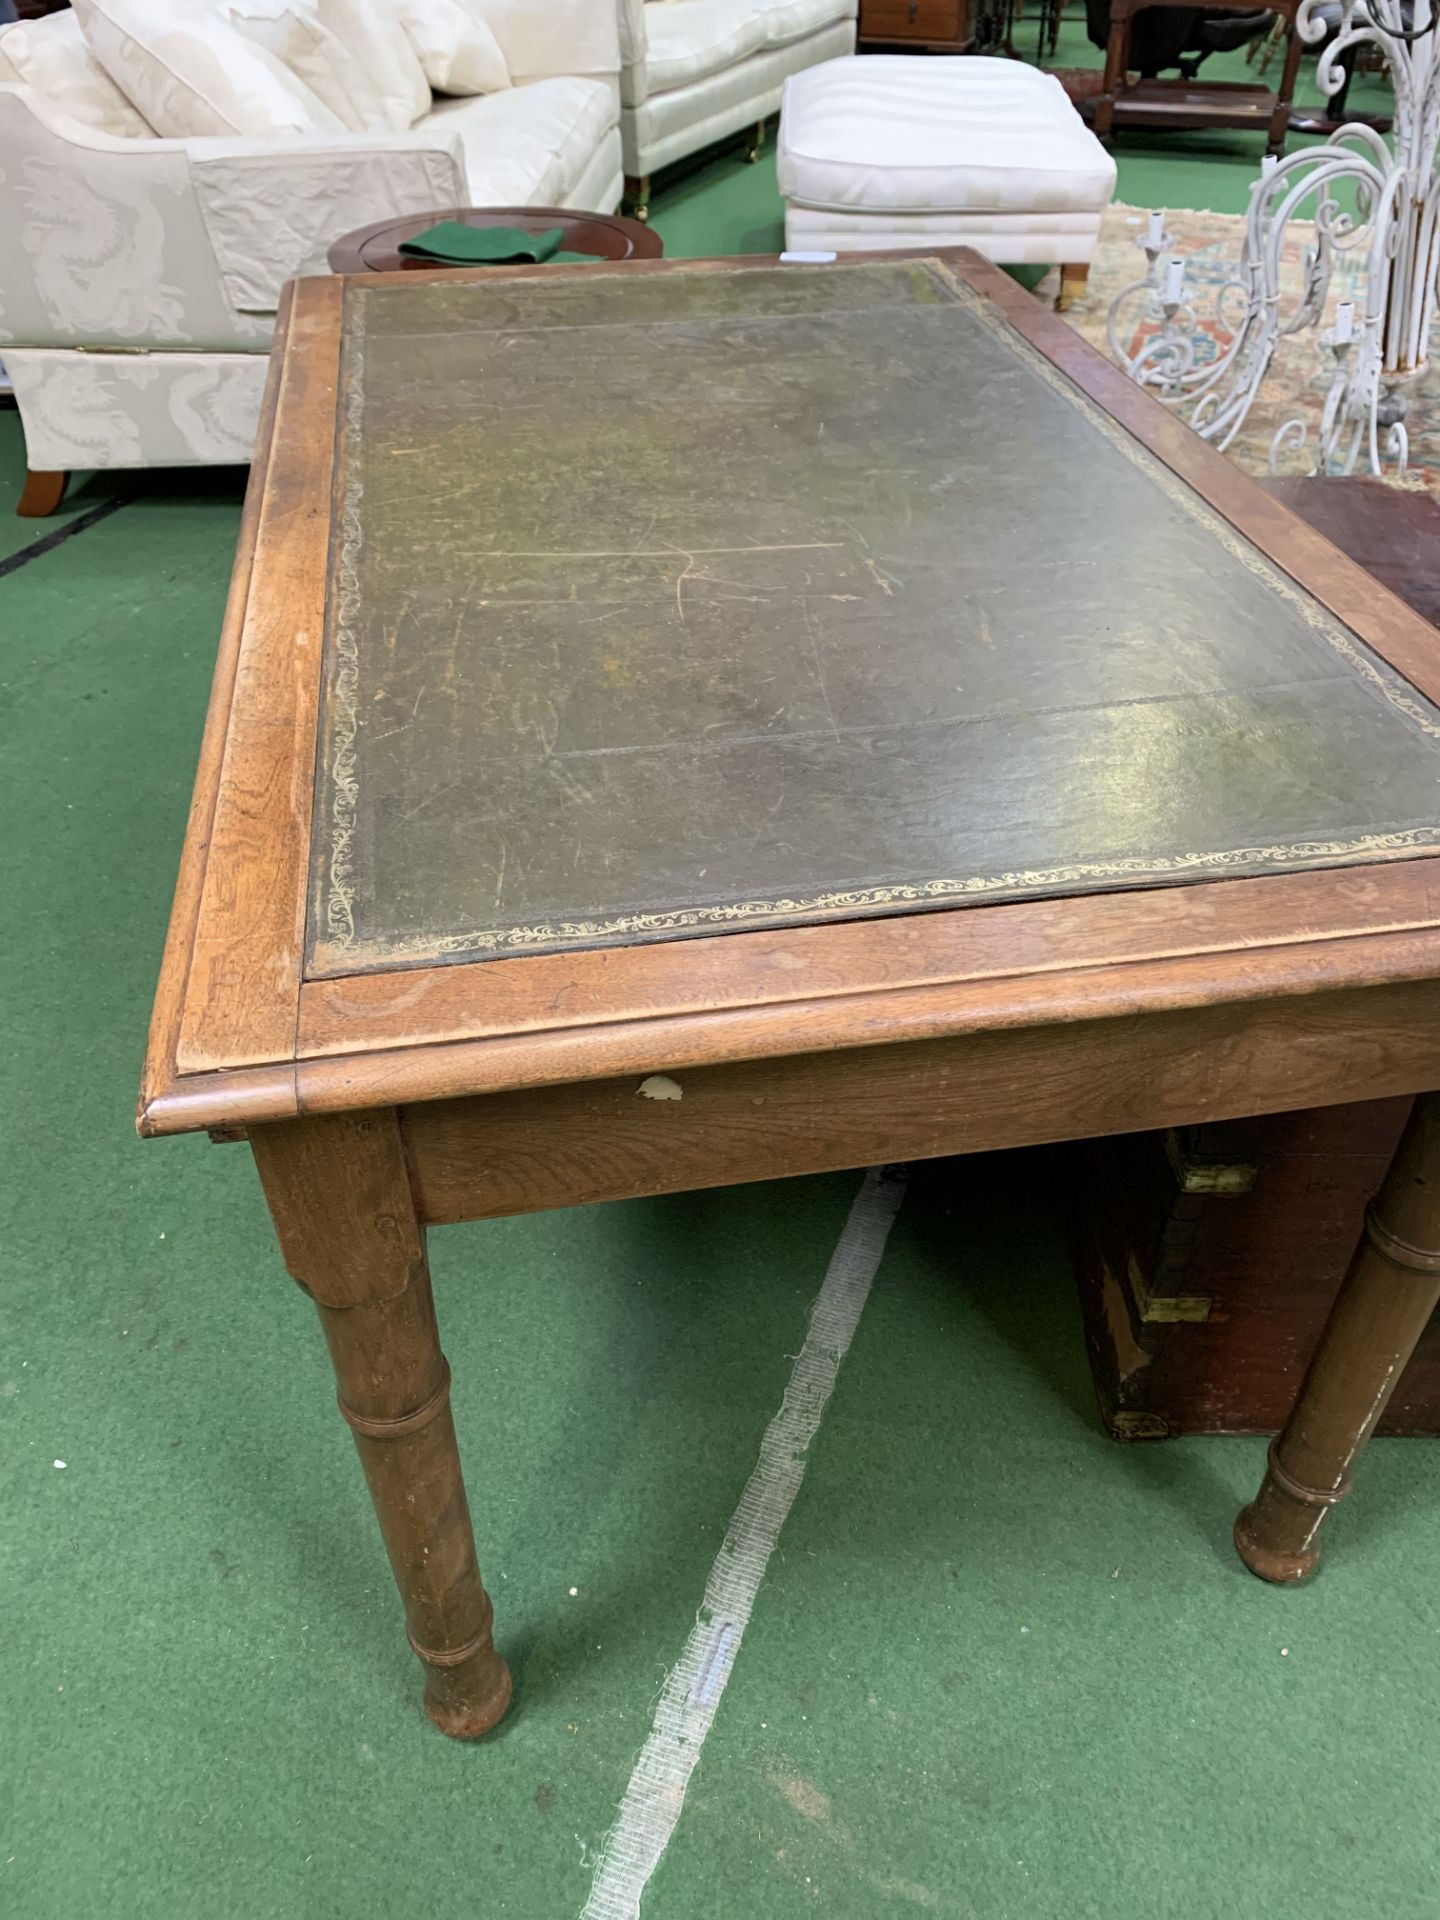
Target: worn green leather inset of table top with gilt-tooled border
column 692, row 602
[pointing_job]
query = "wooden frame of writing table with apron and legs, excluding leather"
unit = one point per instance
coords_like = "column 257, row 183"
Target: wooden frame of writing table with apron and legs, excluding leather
column 379, row 1105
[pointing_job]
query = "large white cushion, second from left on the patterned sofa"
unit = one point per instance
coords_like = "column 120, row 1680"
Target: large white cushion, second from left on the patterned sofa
column 189, row 72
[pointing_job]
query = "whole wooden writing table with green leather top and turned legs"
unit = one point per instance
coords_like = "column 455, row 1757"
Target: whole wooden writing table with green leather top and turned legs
column 834, row 688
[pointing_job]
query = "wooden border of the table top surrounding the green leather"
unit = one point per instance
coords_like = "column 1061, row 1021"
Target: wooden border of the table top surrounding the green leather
column 241, row 1038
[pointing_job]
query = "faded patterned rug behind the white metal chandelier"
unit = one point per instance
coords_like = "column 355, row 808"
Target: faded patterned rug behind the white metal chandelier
column 1301, row 372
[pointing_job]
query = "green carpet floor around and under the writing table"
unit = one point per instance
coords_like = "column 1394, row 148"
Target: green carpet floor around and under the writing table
column 999, row 1668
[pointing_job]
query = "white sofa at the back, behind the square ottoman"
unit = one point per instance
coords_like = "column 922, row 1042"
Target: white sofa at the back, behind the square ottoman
column 696, row 72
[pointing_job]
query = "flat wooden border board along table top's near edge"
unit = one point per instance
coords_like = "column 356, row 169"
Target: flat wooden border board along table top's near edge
column 368, row 1013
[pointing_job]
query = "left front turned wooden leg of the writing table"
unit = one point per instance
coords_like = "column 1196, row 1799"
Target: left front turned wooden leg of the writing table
column 345, row 1214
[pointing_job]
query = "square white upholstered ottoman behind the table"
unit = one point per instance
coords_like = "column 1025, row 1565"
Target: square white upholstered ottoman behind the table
column 903, row 151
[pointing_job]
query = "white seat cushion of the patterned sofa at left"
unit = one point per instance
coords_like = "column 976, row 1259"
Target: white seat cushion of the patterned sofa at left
column 529, row 147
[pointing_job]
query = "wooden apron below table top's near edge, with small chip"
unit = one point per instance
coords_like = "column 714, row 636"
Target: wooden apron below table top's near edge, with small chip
column 519, row 1153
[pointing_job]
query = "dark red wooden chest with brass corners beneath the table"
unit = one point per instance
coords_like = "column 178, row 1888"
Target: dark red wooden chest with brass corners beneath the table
column 1209, row 1259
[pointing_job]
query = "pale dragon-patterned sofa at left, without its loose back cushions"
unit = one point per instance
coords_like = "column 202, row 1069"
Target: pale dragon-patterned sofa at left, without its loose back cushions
column 139, row 277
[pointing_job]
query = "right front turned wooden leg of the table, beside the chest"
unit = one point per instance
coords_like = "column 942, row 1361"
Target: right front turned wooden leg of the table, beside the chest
column 1378, row 1318
